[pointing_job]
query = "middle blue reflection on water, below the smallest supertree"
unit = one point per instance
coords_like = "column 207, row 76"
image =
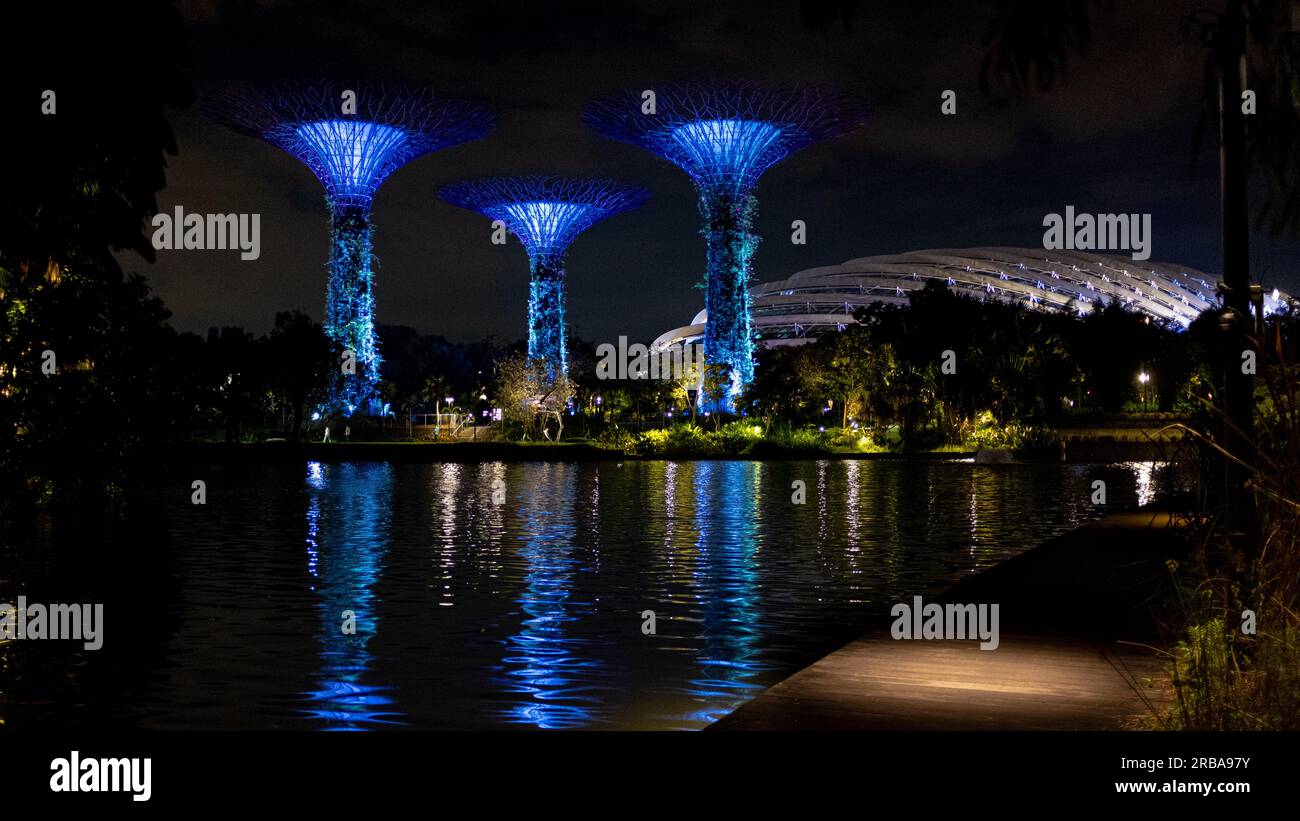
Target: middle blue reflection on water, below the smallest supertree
column 543, row 663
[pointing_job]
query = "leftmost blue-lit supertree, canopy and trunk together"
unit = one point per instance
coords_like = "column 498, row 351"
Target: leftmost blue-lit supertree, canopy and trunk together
column 353, row 137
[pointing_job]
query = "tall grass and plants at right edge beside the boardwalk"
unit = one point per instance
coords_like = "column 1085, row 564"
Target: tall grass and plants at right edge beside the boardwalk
column 1225, row 676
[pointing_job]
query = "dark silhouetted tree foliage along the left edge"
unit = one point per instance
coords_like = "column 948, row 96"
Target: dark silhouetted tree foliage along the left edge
column 85, row 188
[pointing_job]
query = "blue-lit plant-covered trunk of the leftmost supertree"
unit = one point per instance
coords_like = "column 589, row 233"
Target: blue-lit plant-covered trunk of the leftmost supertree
column 350, row 310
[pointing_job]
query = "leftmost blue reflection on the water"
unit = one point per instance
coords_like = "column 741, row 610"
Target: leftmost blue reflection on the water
column 348, row 533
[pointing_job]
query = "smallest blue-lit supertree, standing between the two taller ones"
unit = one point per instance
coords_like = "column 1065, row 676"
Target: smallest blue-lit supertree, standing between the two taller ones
column 547, row 214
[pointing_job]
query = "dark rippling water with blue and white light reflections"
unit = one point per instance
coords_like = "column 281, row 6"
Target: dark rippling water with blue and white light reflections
column 530, row 614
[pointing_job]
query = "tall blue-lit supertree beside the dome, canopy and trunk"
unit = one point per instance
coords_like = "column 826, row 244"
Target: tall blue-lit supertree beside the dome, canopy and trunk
column 725, row 138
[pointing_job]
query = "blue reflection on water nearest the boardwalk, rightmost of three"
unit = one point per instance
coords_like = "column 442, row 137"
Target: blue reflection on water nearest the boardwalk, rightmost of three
column 727, row 501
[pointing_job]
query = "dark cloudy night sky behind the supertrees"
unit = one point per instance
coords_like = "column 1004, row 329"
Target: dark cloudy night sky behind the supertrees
column 1116, row 137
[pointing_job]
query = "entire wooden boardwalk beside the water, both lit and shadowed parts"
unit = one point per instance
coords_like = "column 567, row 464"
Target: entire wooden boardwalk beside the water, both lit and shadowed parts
column 1059, row 666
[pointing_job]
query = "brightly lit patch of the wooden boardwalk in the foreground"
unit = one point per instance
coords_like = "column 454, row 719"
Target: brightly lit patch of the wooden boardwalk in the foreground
column 1028, row 684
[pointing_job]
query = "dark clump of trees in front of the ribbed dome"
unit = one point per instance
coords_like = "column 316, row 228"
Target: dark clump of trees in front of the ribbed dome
column 1013, row 372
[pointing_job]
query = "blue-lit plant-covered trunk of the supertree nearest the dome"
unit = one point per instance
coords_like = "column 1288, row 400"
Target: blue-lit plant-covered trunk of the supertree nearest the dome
column 729, row 335
